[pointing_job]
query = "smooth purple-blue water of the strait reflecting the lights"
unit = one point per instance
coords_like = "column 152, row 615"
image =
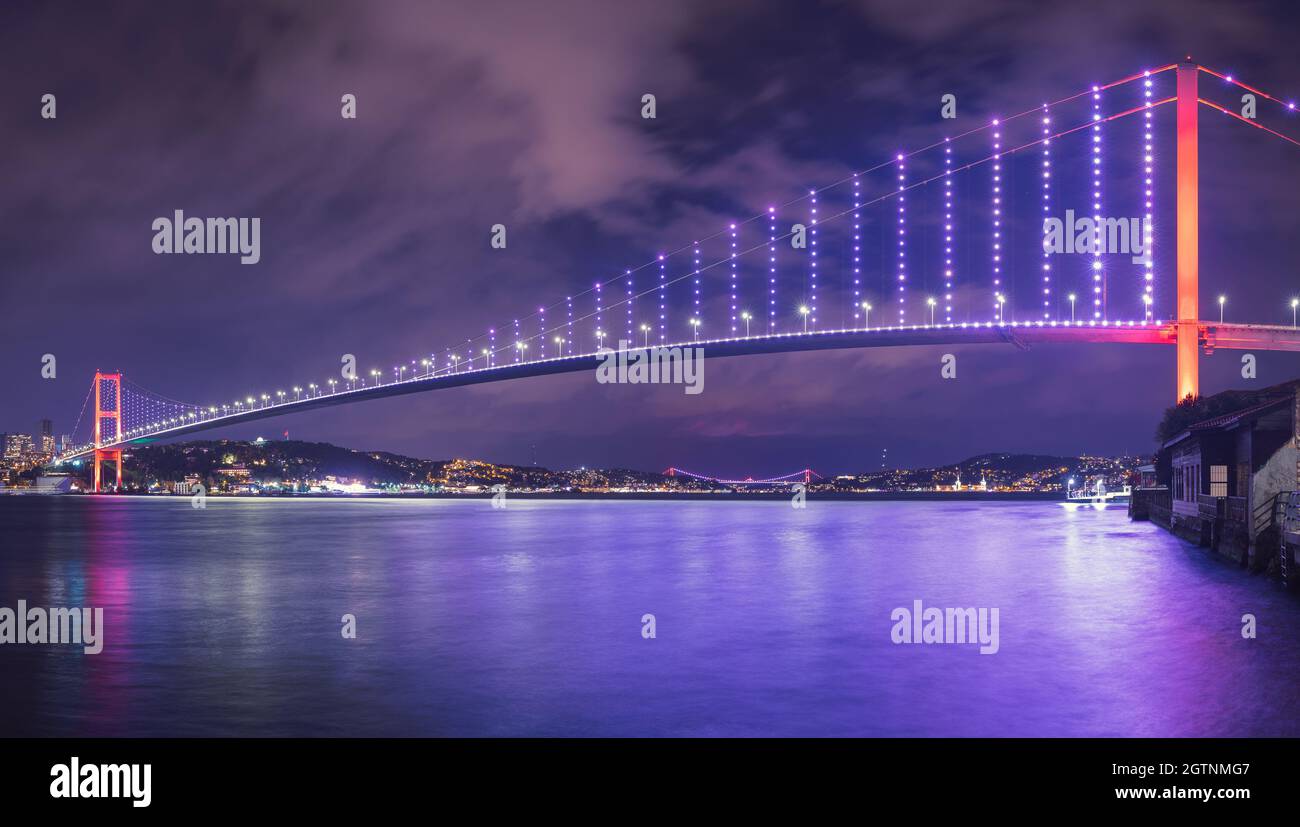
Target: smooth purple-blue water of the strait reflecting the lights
column 527, row 621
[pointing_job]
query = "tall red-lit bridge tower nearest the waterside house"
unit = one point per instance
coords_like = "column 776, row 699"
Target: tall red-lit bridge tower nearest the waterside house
column 1189, row 197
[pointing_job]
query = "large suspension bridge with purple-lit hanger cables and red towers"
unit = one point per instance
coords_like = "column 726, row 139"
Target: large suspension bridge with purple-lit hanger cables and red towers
column 937, row 246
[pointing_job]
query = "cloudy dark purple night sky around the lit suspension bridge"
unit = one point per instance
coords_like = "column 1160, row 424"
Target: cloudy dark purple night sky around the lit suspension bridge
column 375, row 232
